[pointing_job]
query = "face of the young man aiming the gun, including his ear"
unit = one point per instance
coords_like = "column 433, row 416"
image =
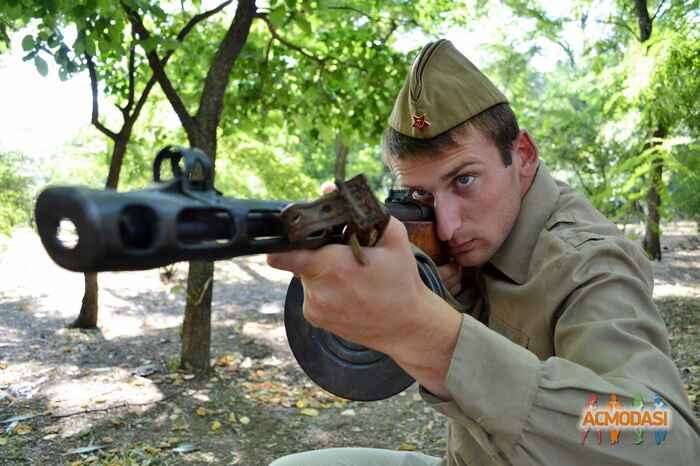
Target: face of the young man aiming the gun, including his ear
column 475, row 196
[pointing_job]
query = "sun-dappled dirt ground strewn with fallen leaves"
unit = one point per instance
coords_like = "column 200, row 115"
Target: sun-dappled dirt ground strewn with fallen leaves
column 116, row 392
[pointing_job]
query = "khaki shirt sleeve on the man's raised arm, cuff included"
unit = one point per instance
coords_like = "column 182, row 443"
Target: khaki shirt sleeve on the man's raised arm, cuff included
column 609, row 339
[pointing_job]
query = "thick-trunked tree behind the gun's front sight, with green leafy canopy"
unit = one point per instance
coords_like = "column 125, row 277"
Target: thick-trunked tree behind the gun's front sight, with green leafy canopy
column 308, row 76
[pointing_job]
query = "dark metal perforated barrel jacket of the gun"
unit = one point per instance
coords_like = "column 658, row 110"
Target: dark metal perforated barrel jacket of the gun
column 151, row 228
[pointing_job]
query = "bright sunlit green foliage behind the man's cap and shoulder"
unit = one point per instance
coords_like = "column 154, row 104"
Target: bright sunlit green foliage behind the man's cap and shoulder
column 612, row 105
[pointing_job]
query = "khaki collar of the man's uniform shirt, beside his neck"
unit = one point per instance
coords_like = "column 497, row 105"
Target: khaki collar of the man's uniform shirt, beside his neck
column 513, row 257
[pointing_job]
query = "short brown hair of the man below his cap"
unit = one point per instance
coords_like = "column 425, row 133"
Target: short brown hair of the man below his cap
column 497, row 123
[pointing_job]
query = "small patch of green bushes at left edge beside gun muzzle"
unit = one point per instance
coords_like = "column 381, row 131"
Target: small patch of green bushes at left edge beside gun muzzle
column 16, row 191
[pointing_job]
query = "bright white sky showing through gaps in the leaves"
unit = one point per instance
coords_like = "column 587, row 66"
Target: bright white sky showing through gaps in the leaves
column 41, row 114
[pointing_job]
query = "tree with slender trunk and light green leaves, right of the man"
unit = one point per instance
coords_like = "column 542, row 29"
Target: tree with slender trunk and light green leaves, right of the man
column 606, row 94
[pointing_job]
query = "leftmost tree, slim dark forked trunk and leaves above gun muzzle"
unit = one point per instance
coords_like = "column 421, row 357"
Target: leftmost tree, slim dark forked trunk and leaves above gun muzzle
column 103, row 41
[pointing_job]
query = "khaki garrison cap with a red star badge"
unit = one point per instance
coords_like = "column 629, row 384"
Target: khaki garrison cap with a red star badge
column 442, row 90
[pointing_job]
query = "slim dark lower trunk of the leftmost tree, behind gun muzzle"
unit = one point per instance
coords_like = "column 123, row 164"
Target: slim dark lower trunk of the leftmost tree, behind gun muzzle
column 87, row 318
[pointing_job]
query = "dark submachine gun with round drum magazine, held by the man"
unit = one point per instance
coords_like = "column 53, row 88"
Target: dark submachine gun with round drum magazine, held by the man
column 186, row 218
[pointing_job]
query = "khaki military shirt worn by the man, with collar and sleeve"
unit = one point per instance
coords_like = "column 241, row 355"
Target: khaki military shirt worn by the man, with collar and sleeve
column 568, row 303
